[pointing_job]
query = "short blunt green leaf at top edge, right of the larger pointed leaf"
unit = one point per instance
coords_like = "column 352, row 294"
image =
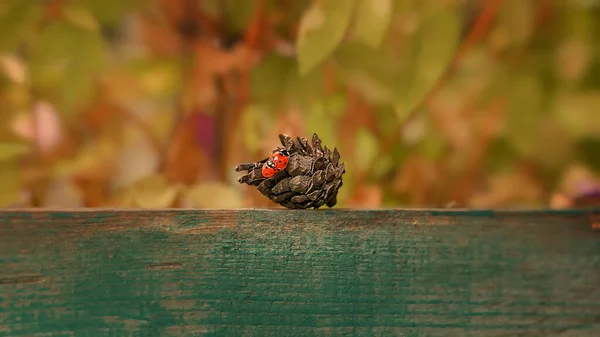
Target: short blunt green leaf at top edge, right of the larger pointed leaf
column 373, row 18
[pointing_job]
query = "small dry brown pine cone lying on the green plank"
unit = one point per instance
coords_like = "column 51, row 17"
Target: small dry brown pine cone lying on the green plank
column 311, row 178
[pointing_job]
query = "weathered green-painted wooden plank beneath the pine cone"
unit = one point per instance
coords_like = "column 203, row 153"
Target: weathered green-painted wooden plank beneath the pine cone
column 299, row 273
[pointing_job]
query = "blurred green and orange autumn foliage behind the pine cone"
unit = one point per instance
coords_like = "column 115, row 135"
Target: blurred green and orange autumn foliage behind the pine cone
column 432, row 103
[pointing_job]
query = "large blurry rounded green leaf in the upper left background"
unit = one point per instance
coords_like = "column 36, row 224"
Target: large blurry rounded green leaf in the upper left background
column 65, row 60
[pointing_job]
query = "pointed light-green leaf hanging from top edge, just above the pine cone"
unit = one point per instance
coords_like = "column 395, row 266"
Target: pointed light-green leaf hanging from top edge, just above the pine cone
column 321, row 30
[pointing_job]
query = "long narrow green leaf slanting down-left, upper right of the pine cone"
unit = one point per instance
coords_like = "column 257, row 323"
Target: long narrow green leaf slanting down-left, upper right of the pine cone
column 434, row 48
